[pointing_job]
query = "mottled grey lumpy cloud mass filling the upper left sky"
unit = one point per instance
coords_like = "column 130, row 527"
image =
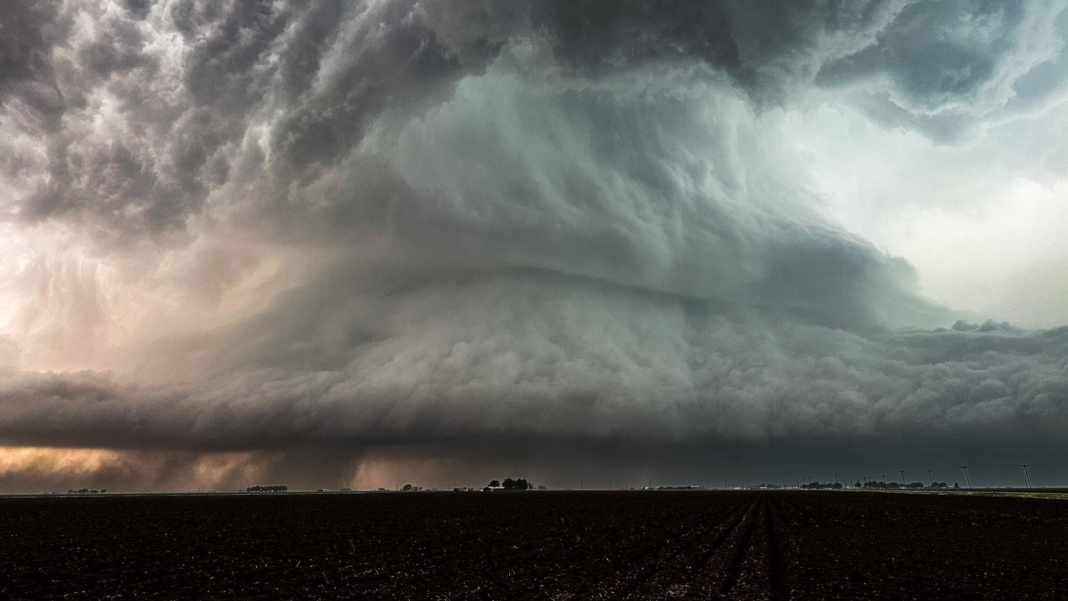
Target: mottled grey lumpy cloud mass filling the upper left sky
column 187, row 107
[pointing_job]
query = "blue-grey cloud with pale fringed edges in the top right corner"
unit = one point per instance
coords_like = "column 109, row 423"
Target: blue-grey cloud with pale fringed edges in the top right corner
column 948, row 66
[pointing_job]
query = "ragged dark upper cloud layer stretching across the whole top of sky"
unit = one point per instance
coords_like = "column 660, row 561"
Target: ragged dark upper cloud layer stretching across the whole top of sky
column 247, row 58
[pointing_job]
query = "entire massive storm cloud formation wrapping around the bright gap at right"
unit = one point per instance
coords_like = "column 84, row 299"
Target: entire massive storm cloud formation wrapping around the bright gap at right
column 261, row 228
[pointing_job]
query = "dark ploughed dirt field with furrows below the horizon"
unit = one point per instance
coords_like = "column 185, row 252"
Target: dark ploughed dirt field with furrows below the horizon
column 538, row 546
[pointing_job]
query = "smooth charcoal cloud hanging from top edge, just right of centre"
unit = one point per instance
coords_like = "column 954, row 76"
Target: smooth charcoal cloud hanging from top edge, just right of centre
column 762, row 45
